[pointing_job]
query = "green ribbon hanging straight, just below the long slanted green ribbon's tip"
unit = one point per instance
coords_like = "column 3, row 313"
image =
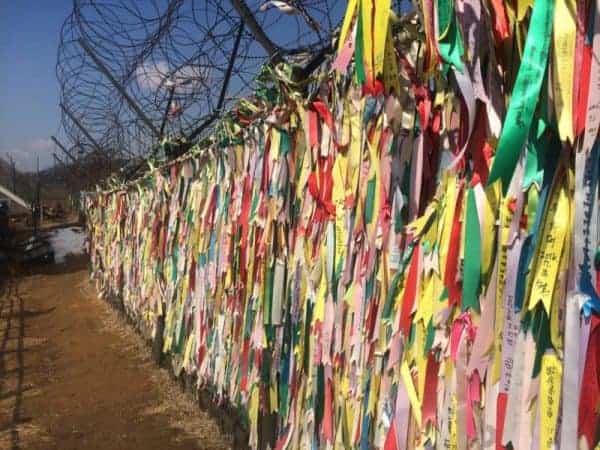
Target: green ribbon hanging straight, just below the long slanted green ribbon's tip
column 472, row 264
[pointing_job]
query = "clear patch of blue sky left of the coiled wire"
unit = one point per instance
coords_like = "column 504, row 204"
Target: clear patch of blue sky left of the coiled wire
column 29, row 114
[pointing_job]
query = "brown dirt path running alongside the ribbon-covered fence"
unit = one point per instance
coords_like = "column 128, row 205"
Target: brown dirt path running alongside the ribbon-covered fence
column 73, row 375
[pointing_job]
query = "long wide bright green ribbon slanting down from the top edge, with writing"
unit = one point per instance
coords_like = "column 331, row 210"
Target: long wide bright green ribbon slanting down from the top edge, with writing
column 525, row 94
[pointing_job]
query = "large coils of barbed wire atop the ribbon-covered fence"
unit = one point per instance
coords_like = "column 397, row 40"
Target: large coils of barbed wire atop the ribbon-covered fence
column 180, row 62
